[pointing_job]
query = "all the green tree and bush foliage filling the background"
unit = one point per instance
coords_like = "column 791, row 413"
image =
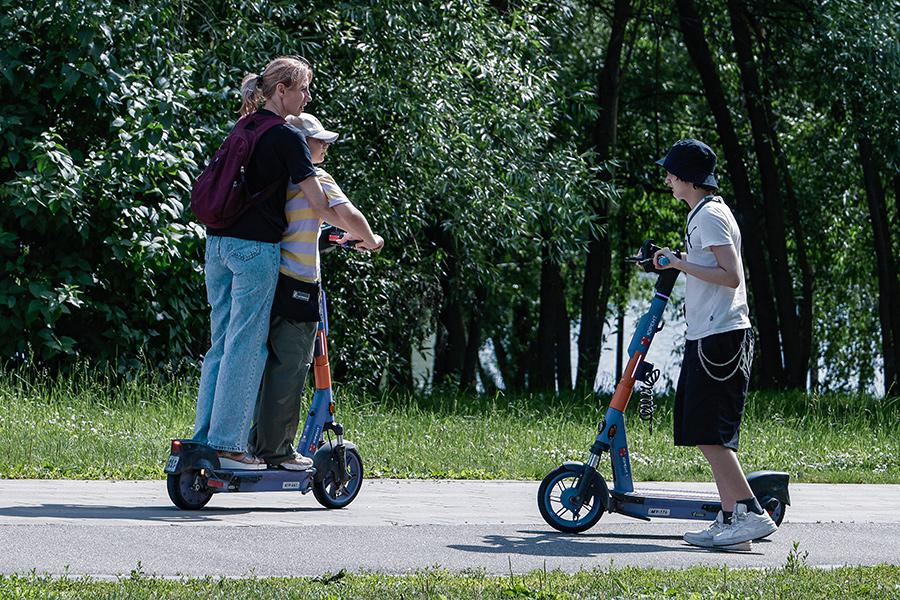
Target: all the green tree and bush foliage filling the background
column 467, row 138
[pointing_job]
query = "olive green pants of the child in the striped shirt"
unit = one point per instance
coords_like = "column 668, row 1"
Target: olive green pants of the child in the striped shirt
column 277, row 414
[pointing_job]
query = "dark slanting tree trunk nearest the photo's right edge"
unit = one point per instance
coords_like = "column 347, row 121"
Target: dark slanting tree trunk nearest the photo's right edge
column 888, row 285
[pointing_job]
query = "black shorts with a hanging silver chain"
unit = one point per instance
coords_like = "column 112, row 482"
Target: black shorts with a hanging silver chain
column 708, row 411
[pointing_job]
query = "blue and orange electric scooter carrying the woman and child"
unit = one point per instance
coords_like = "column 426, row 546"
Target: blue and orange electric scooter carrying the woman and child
column 194, row 474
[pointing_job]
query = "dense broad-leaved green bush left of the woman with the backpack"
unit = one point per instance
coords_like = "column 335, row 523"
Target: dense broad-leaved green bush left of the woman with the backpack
column 99, row 260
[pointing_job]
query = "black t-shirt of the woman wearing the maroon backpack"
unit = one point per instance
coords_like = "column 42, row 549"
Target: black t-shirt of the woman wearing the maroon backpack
column 280, row 154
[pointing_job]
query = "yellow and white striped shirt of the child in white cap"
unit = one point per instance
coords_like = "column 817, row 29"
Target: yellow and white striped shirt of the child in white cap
column 300, row 244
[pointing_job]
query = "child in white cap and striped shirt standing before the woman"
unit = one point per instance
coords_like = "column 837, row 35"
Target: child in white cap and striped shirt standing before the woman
column 295, row 310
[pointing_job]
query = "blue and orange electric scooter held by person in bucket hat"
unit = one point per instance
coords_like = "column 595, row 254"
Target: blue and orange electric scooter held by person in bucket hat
column 574, row 496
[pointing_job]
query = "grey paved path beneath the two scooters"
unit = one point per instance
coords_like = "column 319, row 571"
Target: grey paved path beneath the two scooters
column 103, row 528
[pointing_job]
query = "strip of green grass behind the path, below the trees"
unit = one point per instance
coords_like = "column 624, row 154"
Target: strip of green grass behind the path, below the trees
column 92, row 426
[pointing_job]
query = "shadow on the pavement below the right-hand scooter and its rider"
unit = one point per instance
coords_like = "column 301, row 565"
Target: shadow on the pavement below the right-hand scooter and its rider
column 542, row 543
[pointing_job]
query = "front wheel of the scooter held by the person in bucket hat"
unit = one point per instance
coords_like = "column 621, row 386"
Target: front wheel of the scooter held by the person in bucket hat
column 557, row 515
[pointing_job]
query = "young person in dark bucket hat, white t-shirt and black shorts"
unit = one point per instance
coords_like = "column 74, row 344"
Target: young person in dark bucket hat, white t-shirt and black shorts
column 715, row 372
